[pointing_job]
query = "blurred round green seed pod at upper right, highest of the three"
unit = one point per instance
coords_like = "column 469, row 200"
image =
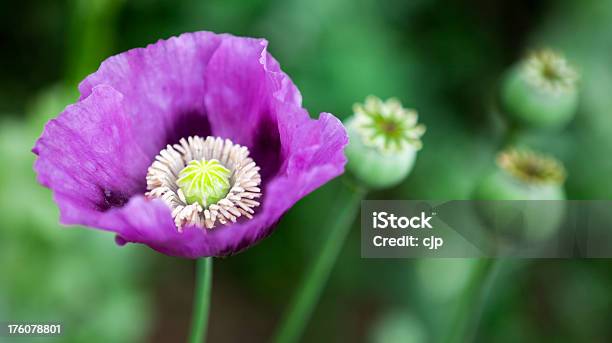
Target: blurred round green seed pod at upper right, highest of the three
column 541, row 91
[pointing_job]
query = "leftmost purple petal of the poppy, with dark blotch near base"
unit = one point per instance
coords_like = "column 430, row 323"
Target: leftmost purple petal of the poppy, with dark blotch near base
column 89, row 155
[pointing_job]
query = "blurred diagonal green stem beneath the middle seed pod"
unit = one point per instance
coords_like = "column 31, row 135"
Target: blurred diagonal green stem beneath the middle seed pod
column 296, row 318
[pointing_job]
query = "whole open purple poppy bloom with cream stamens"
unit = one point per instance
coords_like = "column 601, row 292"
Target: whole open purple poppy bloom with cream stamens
column 139, row 121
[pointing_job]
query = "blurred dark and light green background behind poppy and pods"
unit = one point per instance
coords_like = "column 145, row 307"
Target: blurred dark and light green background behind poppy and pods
column 443, row 58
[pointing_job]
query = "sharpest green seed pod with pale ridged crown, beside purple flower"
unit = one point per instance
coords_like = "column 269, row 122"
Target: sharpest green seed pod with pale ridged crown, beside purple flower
column 384, row 140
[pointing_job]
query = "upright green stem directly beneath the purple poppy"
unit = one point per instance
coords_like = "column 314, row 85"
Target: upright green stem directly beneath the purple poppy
column 201, row 300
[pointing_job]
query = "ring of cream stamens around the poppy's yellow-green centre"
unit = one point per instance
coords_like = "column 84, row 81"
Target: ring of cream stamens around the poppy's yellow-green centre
column 244, row 181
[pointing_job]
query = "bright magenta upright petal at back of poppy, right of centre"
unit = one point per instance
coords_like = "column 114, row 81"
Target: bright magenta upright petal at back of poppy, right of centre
column 244, row 95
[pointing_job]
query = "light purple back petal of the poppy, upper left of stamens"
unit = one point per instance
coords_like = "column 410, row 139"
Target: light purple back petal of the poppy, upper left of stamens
column 163, row 85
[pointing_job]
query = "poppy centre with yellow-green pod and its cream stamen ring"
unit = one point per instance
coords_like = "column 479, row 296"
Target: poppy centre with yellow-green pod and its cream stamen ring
column 205, row 182
